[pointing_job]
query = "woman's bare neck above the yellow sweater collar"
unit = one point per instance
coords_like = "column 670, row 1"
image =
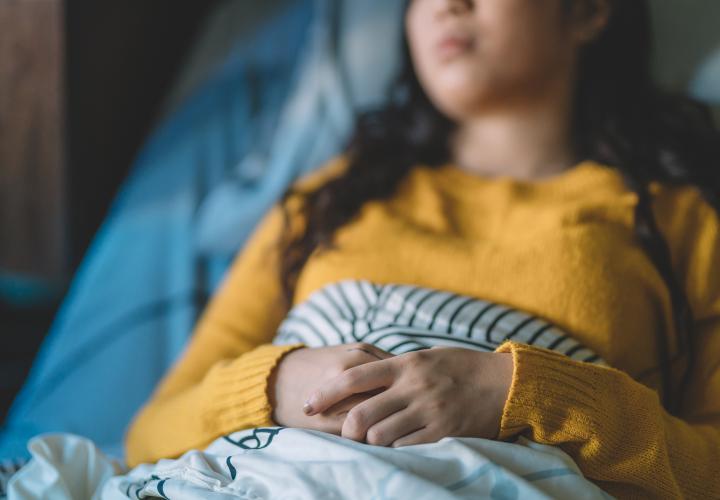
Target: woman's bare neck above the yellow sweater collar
column 531, row 142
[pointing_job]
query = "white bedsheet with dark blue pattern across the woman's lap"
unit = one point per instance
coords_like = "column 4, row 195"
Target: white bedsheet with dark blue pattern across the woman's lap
column 289, row 463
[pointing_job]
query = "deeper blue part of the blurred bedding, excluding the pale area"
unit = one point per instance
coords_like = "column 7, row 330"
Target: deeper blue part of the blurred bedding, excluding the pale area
column 135, row 299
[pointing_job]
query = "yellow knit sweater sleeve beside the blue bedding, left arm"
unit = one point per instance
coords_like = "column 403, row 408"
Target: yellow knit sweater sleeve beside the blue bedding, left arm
column 219, row 384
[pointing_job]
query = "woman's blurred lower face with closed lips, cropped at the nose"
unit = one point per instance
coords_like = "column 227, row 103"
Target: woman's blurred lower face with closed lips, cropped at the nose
column 474, row 56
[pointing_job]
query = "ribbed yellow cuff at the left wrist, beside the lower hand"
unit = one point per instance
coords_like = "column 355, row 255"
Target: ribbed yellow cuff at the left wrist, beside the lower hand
column 237, row 391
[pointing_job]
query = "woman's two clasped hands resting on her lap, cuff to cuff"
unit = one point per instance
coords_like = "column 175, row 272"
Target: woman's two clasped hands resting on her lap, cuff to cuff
column 363, row 393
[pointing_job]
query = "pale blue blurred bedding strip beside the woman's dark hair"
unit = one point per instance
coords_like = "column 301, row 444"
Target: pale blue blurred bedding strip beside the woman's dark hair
column 348, row 65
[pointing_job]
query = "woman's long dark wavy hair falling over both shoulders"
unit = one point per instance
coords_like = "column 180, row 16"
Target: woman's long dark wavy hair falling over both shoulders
column 621, row 119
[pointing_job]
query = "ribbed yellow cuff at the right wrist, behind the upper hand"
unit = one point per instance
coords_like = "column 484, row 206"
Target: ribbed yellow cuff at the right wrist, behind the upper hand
column 549, row 394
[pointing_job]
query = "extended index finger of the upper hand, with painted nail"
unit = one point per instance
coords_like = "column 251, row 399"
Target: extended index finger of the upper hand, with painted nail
column 361, row 378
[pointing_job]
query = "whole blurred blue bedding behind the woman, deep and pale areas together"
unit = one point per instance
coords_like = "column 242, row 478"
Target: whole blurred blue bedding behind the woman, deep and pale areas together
column 282, row 105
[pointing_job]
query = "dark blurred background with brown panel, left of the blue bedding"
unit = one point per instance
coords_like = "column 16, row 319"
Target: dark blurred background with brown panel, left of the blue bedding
column 81, row 83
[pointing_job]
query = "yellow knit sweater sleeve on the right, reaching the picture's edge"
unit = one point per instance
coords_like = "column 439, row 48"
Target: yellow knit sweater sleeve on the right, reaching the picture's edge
column 616, row 428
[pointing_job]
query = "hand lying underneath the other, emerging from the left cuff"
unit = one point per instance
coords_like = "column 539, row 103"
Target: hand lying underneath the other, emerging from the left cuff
column 302, row 370
